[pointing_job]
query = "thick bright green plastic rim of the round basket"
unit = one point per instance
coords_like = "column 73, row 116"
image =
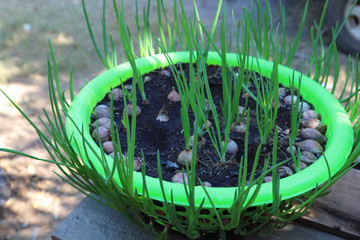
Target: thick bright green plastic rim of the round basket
column 339, row 131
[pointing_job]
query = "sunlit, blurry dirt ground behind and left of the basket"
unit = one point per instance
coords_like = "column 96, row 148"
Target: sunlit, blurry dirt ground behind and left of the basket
column 39, row 200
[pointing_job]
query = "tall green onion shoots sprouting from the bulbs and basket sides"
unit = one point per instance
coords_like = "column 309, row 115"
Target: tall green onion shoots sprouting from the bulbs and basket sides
column 254, row 35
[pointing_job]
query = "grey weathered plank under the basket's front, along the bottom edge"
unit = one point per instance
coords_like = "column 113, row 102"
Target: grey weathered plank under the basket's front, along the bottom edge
column 91, row 220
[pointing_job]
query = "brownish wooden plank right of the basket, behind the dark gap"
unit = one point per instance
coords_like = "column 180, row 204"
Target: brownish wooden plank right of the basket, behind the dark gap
column 339, row 212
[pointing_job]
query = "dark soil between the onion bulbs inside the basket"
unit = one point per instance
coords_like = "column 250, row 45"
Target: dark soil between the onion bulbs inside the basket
column 168, row 138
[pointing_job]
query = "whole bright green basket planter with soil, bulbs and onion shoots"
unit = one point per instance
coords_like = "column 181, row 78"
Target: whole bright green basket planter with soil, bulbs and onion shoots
column 195, row 138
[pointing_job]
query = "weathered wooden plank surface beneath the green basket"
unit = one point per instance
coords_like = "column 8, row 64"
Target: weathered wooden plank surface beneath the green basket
column 336, row 214
